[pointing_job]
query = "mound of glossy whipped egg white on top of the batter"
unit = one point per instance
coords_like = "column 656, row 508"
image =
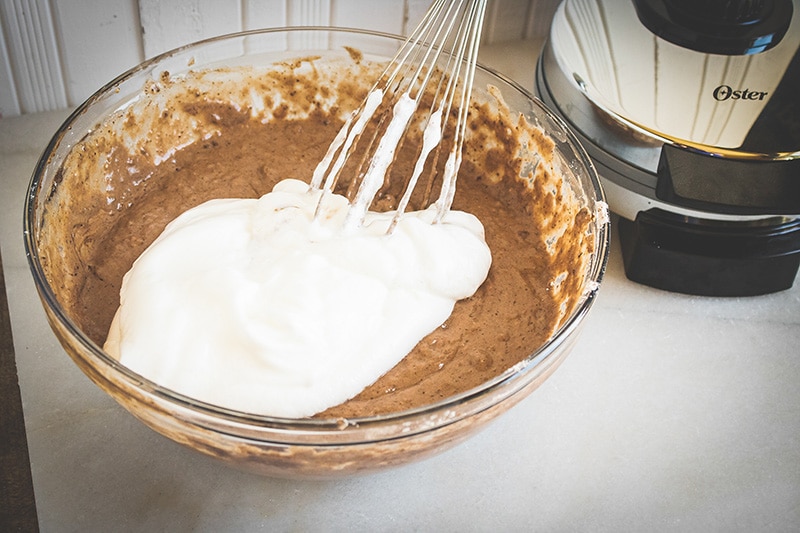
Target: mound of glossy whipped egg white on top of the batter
column 255, row 305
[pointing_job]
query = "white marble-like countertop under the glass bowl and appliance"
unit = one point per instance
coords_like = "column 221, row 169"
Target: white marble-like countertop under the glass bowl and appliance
column 672, row 413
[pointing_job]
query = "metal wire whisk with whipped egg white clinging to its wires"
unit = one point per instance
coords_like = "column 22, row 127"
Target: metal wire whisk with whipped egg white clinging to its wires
column 452, row 28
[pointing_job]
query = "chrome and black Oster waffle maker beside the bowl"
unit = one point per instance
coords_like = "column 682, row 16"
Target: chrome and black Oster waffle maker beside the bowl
column 690, row 110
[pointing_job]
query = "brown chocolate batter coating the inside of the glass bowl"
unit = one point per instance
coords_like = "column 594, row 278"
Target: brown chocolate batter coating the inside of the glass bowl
column 202, row 137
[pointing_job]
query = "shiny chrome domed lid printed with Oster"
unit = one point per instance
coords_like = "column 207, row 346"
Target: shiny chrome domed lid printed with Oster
column 669, row 92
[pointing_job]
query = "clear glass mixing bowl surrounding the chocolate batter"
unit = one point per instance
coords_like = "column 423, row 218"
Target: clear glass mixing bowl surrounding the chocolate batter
column 303, row 447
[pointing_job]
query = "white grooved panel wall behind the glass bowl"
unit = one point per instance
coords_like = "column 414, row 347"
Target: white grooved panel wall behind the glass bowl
column 56, row 53
